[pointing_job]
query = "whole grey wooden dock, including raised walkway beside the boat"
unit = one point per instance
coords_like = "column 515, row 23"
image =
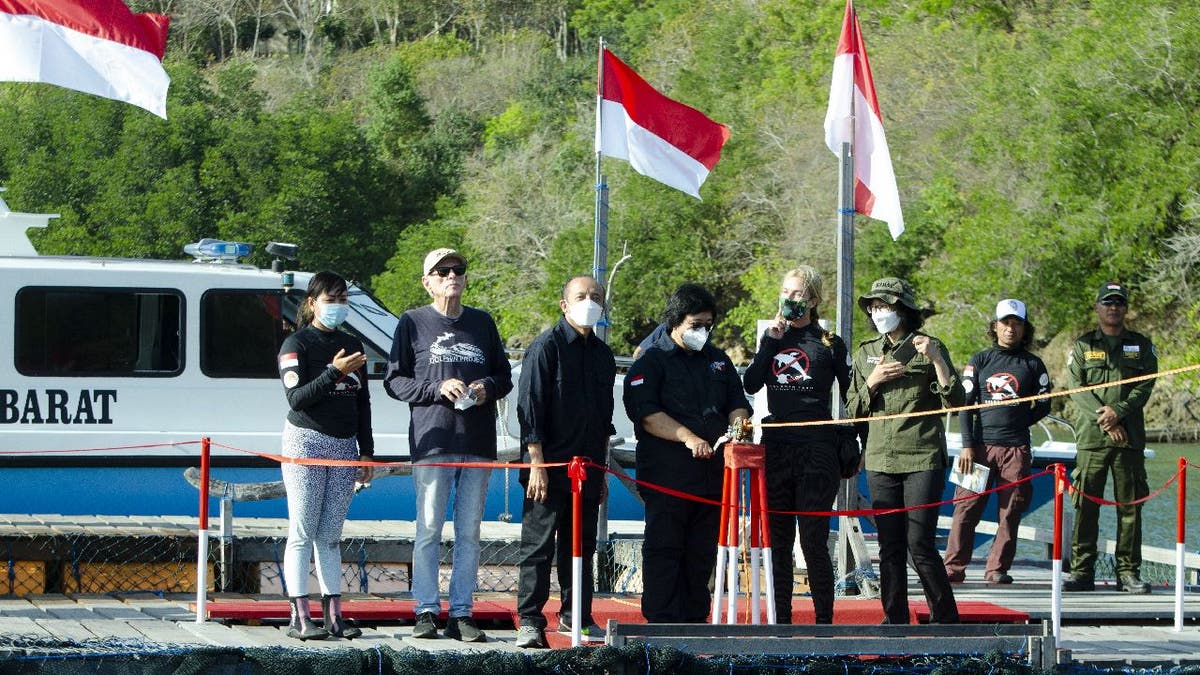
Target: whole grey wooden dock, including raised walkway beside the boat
column 1102, row 629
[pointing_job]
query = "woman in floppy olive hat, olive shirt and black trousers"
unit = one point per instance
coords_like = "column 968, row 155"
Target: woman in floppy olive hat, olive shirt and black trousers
column 904, row 371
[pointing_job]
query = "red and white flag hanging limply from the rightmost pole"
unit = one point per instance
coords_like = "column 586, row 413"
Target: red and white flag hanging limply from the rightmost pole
column 853, row 97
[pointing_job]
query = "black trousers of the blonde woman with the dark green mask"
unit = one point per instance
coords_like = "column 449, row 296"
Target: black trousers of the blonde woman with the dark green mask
column 802, row 476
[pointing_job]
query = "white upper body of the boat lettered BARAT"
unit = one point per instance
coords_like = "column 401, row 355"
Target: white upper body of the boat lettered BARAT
column 155, row 355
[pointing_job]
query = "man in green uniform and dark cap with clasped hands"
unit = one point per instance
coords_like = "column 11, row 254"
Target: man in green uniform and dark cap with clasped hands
column 1112, row 438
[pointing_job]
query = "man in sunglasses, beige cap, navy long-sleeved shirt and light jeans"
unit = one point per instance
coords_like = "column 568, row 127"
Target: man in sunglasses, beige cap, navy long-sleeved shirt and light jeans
column 448, row 363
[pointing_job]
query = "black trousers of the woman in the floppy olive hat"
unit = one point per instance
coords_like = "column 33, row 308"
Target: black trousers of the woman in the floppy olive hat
column 911, row 533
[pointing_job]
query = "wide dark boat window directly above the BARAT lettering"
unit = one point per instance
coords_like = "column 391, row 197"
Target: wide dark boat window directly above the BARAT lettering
column 99, row 332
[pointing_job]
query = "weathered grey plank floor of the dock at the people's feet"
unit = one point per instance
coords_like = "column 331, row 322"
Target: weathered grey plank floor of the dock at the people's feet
column 1107, row 629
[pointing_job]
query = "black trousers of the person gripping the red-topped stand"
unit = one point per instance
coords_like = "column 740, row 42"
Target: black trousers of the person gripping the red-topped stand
column 679, row 558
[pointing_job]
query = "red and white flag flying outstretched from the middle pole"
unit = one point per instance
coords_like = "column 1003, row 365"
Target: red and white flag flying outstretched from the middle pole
column 662, row 139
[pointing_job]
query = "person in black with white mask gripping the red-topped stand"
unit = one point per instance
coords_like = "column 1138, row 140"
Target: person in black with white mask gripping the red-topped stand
column 682, row 395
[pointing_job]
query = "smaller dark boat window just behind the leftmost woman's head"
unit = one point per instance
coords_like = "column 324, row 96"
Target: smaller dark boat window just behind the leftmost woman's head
column 242, row 333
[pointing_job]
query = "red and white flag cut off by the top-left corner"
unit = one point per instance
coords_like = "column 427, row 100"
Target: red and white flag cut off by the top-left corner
column 93, row 46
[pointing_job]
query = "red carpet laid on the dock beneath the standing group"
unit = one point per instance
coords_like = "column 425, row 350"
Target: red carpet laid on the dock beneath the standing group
column 626, row 611
